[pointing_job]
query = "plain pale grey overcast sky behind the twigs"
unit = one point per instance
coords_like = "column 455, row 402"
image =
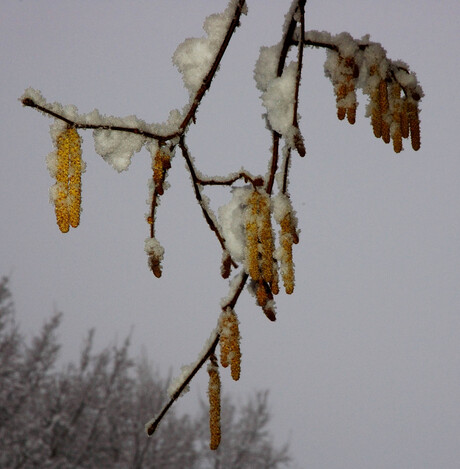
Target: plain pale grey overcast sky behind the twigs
column 363, row 363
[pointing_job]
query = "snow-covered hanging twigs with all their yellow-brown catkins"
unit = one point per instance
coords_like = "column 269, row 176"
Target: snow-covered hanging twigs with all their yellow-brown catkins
column 245, row 226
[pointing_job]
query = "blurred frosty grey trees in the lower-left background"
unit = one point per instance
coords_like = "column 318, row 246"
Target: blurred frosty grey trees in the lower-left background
column 88, row 413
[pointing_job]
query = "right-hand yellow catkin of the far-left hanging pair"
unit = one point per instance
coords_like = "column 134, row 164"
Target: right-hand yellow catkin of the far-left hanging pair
column 75, row 178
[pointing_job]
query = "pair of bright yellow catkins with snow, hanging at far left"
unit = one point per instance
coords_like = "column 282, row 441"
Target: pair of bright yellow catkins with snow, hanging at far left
column 65, row 165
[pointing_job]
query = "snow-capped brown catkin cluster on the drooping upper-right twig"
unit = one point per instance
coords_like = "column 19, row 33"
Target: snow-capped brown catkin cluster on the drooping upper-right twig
column 393, row 90
